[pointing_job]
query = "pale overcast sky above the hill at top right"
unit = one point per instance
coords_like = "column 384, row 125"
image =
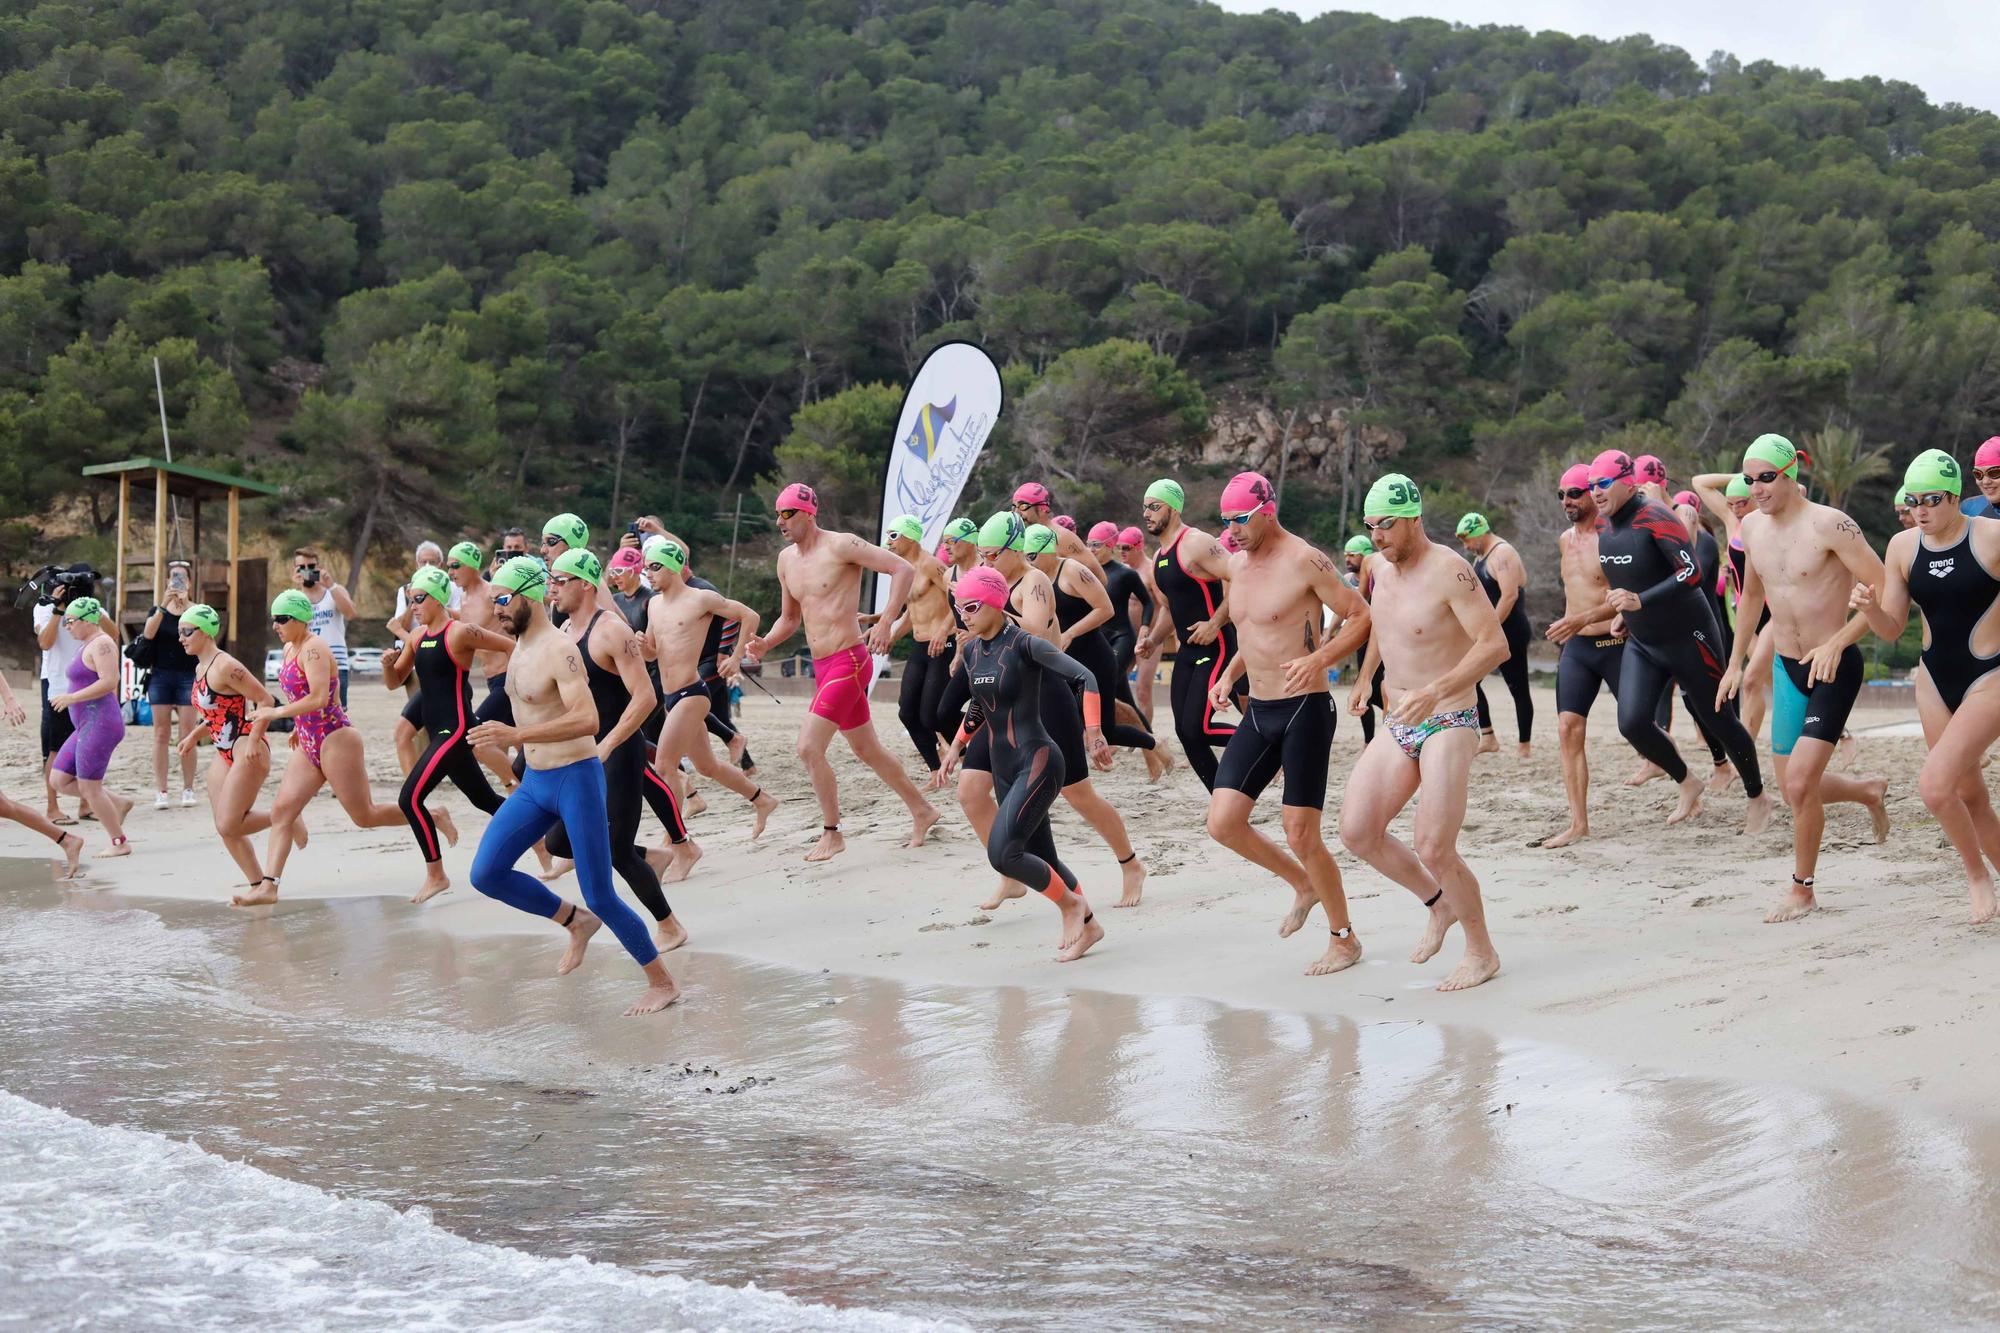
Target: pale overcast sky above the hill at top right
column 1945, row 47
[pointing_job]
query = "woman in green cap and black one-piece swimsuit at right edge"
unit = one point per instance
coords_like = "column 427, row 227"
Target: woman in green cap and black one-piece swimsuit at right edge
column 1945, row 567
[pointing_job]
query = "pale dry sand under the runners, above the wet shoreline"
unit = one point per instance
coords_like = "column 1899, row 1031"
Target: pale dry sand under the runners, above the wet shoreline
column 1643, row 946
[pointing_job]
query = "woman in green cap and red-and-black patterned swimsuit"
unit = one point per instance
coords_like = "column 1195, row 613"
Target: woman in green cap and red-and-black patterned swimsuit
column 223, row 696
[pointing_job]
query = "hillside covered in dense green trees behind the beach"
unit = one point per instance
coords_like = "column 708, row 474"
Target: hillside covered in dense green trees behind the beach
column 439, row 265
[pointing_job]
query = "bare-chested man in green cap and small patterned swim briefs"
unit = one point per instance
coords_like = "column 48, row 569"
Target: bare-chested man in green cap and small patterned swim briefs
column 1435, row 635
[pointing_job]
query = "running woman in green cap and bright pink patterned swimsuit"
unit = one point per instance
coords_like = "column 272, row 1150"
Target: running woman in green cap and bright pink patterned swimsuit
column 325, row 746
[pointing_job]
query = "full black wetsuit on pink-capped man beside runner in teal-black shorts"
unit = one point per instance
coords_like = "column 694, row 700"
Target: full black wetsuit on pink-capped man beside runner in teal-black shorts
column 1673, row 639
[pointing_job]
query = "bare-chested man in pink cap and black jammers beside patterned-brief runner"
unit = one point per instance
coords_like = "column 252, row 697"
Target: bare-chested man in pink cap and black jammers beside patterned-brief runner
column 1281, row 589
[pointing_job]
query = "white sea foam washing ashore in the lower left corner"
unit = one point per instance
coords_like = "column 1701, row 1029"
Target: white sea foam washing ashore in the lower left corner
column 117, row 1228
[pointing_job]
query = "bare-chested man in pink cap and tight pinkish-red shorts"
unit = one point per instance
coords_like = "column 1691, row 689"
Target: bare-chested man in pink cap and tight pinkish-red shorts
column 821, row 581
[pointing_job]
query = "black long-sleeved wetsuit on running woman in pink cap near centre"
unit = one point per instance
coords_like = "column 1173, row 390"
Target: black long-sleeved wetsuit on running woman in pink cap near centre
column 1011, row 680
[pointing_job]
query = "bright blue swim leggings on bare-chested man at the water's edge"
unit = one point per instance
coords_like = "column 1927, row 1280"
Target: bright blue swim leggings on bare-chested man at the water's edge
column 573, row 796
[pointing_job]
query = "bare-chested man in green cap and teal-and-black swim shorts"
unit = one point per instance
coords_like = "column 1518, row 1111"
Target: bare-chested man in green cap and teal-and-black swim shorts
column 1799, row 557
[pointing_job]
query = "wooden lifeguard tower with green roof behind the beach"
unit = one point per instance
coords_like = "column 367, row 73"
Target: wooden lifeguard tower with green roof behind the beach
column 227, row 583
